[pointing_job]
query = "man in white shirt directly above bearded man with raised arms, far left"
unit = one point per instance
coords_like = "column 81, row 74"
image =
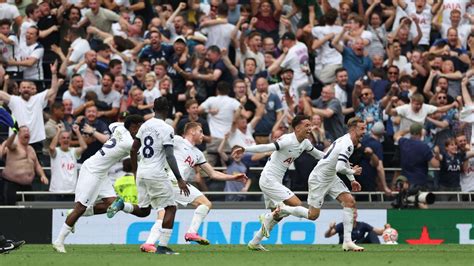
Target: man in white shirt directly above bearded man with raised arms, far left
column 30, row 56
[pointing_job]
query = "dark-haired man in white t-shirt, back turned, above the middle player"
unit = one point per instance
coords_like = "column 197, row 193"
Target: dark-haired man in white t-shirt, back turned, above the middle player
column 220, row 111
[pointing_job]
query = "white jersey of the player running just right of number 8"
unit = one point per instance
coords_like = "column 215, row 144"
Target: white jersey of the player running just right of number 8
column 187, row 156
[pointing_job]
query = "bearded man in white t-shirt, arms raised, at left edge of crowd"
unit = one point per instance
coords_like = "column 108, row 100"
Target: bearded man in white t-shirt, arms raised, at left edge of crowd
column 28, row 107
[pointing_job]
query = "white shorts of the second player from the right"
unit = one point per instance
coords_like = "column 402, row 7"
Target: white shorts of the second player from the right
column 274, row 192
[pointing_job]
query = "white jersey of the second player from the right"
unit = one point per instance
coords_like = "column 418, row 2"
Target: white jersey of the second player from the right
column 288, row 149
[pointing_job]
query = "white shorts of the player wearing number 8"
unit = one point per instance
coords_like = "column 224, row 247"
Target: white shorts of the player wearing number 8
column 158, row 193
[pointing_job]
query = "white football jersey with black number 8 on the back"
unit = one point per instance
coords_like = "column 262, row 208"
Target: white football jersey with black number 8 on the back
column 154, row 134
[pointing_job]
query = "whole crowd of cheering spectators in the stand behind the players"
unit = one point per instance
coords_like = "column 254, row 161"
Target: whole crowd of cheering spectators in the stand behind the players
column 244, row 69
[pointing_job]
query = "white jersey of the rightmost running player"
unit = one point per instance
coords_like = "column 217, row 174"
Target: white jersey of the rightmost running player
column 340, row 150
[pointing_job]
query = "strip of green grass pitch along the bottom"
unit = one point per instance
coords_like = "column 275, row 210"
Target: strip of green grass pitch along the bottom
column 226, row 255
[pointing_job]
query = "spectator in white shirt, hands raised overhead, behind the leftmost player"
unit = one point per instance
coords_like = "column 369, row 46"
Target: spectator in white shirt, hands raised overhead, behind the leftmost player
column 64, row 161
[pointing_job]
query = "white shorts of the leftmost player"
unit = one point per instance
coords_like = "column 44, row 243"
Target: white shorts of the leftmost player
column 91, row 187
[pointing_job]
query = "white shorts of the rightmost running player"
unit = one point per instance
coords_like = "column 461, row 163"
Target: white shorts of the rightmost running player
column 318, row 190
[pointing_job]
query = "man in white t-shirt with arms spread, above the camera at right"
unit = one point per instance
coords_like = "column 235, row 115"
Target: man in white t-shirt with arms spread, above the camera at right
column 416, row 111
